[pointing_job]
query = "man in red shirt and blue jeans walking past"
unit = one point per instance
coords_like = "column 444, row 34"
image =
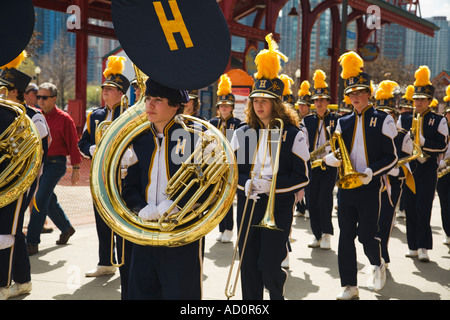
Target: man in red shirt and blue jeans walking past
column 64, row 142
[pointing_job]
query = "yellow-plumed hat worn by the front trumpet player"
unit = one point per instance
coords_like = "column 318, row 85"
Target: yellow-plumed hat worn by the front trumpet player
column 354, row 78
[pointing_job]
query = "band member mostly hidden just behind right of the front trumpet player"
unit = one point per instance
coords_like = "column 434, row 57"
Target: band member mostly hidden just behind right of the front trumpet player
column 395, row 178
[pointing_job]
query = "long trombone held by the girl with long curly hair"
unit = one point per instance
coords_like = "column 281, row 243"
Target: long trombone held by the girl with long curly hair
column 268, row 221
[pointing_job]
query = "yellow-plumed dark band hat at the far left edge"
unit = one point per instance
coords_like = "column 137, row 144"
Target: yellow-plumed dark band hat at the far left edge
column 11, row 77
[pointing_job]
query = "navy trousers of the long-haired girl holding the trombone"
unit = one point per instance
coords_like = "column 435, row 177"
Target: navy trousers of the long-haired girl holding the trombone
column 265, row 249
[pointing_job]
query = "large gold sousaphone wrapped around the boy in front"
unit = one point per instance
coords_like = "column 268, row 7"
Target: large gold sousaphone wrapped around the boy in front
column 190, row 223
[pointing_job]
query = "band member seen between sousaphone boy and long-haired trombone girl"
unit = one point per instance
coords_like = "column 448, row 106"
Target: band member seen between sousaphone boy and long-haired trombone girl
column 227, row 123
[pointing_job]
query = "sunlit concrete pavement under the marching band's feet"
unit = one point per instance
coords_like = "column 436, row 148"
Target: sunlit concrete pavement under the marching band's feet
column 58, row 271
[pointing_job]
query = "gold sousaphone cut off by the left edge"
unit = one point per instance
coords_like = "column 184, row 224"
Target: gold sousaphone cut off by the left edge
column 20, row 154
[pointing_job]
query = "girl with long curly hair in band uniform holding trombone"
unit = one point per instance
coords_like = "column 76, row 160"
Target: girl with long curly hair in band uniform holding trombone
column 266, row 249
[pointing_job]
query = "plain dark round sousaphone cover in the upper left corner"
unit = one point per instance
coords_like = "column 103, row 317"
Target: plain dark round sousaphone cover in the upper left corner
column 16, row 28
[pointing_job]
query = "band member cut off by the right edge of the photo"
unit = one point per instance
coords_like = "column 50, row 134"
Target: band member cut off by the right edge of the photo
column 443, row 184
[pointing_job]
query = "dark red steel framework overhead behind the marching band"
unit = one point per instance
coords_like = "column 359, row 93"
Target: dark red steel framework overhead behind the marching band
column 266, row 13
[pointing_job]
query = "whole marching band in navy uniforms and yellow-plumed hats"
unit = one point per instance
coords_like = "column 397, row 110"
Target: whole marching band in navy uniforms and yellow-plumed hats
column 397, row 151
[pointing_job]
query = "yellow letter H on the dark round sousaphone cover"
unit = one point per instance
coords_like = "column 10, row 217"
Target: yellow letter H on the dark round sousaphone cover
column 173, row 26
